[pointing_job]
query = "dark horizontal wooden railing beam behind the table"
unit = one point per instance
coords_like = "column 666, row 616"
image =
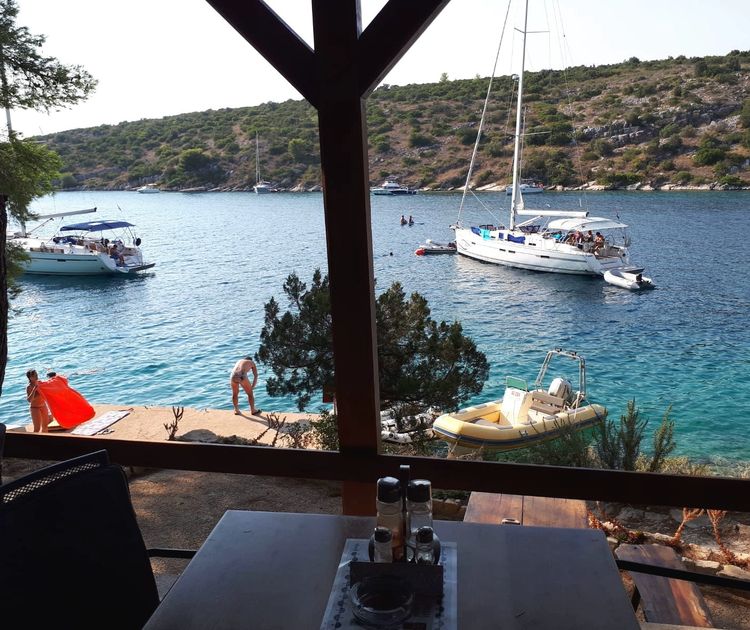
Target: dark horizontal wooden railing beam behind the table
column 719, row 493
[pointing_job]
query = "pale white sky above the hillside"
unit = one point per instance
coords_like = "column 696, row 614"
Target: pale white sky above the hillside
column 155, row 58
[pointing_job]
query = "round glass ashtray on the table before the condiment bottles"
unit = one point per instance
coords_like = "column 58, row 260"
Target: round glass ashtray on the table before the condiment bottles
column 381, row 601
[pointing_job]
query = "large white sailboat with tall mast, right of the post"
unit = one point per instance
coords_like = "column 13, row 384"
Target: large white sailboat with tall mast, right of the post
column 557, row 241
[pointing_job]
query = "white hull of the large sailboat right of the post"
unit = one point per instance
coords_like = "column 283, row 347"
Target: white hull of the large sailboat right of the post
column 538, row 253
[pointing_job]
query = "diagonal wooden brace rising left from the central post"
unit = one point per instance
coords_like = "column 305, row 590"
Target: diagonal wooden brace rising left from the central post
column 260, row 26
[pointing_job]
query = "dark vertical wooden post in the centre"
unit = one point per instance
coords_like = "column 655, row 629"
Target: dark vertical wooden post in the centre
column 346, row 193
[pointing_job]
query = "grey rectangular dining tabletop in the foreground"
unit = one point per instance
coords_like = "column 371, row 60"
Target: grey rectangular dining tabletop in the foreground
column 272, row 570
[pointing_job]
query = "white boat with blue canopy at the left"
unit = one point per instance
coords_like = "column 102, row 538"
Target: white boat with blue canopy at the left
column 105, row 247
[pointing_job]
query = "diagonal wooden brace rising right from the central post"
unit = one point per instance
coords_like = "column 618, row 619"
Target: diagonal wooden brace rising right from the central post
column 391, row 33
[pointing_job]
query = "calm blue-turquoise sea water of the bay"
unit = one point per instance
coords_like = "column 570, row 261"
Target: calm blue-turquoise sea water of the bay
column 171, row 337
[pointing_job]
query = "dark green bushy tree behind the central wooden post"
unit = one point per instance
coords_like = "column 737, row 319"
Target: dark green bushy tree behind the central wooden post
column 421, row 362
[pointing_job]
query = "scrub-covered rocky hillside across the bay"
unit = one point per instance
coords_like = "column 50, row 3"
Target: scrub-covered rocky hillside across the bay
column 676, row 122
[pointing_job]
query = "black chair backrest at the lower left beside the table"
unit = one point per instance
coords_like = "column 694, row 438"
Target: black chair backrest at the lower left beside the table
column 71, row 552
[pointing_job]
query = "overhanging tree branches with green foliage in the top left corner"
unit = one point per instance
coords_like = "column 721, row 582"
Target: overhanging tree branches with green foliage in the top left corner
column 28, row 80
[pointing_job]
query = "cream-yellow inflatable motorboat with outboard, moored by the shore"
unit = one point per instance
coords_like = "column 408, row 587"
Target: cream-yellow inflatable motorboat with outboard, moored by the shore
column 525, row 415
